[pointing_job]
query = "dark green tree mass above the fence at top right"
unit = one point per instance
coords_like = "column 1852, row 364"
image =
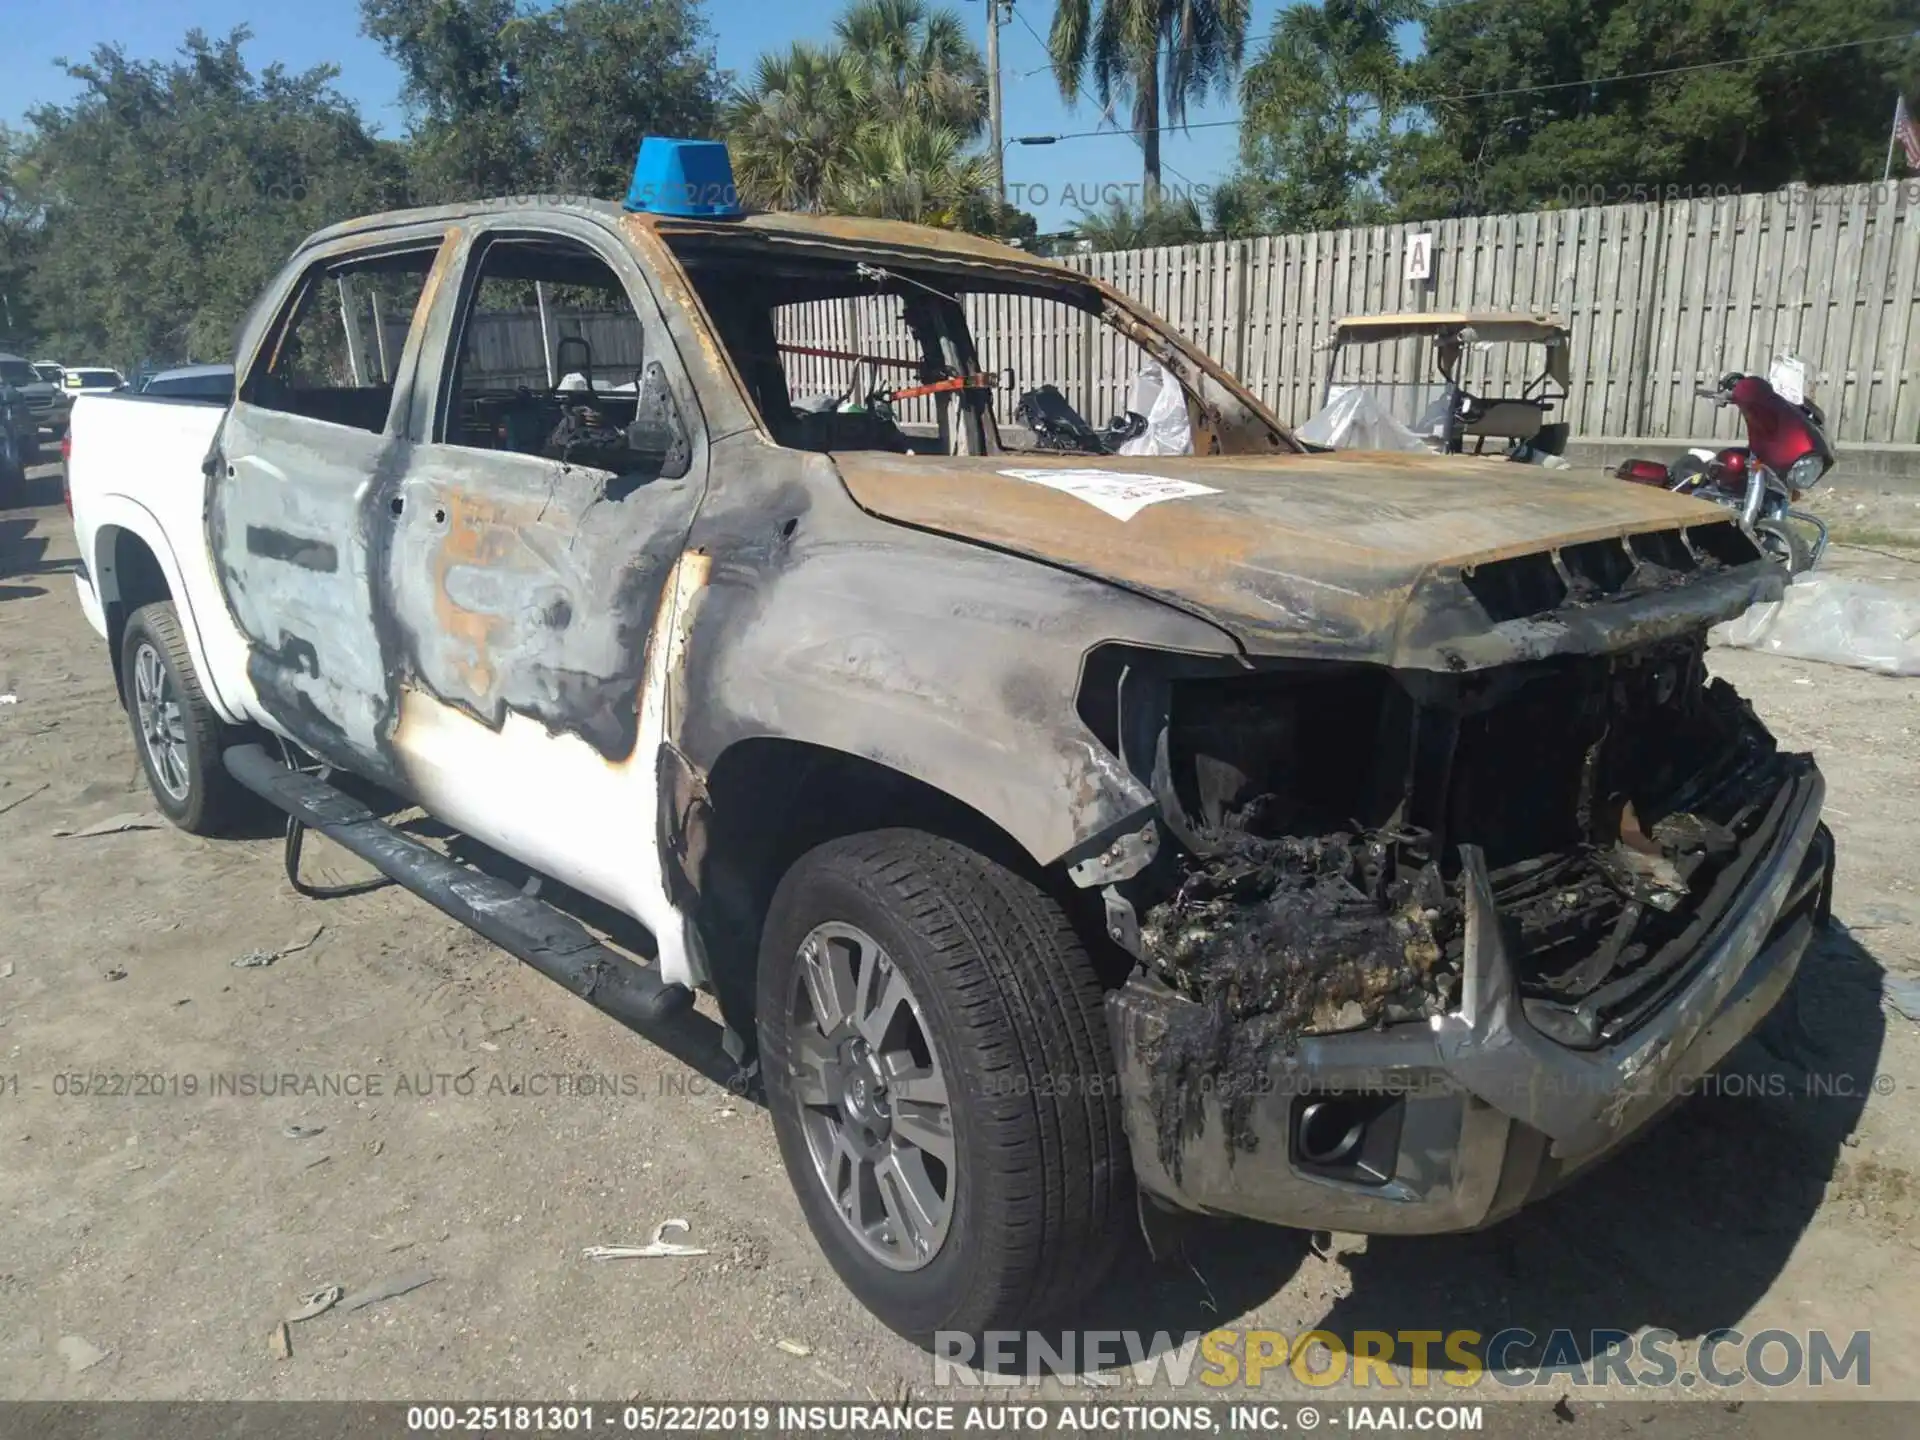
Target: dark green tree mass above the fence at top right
column 1560, row 132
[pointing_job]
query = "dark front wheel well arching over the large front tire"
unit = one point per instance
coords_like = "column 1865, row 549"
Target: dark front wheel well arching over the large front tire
column 775, row 800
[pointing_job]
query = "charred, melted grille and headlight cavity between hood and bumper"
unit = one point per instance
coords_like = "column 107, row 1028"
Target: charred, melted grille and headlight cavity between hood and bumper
column 1320, row 813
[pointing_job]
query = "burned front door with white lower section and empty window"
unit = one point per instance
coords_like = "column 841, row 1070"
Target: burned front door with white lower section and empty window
column 533, row 612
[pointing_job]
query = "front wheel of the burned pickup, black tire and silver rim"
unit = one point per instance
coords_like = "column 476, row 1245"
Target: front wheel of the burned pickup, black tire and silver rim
column 940, row 1078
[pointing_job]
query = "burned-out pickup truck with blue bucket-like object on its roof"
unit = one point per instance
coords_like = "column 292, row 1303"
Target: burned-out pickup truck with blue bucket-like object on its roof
column 1341, row 840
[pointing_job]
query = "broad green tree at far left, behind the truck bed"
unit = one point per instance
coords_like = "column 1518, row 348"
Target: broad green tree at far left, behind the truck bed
column 168, row 193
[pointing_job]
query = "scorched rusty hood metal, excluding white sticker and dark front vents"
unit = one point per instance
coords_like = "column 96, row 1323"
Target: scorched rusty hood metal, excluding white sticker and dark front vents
column 1305, row 560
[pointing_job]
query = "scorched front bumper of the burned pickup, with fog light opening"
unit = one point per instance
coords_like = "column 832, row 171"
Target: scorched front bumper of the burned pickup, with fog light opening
column 1454, row 1124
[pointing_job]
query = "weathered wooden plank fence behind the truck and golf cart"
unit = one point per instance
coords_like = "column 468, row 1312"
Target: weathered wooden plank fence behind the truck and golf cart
column 1660, row 297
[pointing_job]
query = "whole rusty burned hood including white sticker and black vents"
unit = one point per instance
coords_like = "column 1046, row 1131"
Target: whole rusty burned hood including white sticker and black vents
column 1403, row 560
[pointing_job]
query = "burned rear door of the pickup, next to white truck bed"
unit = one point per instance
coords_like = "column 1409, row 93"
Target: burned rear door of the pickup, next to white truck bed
column 293, row 535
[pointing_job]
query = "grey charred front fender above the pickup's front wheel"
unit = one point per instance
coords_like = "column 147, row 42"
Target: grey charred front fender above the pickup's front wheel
column 938, row 660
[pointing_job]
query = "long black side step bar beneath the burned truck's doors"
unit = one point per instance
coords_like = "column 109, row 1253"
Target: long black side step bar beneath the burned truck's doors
column 550, row 942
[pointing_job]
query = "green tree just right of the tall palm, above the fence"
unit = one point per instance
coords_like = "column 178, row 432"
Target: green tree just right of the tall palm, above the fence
column 1318, row 118
